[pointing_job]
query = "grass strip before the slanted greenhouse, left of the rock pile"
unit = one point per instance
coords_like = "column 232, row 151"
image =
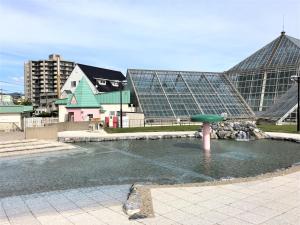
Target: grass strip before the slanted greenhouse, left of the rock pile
column 153, row 129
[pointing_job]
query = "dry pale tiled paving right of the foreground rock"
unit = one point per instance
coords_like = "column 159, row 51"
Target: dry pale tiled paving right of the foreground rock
column 268, row 201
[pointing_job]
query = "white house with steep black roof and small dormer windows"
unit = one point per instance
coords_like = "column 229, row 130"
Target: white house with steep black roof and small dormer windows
column 100, row 80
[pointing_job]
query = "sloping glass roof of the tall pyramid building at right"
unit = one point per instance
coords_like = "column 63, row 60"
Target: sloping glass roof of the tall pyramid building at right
column 284, row 50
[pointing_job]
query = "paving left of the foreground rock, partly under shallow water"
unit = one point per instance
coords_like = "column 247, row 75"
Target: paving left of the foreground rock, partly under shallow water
column 87, row 206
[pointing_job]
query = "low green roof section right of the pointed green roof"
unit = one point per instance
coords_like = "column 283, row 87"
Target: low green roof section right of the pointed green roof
column 113, row 97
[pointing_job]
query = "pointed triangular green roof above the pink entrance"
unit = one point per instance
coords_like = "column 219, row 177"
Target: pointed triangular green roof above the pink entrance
column 83, row 96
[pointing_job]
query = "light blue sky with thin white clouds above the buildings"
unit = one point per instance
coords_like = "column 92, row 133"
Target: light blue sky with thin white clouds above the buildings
column 194, row 35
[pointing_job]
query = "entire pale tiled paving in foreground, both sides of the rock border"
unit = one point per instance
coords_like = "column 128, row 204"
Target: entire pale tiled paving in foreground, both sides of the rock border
column 266, row 201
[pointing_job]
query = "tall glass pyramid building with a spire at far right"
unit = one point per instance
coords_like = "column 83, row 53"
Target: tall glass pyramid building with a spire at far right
column 265, row 76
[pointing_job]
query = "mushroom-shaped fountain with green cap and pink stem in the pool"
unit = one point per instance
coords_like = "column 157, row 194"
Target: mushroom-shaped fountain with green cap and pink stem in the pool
column 206, row 119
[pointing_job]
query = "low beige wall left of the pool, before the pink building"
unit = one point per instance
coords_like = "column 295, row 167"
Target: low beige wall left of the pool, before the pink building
column 50, row 131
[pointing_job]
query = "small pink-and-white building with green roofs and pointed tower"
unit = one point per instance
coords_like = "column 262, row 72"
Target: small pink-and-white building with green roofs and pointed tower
column 83, row 104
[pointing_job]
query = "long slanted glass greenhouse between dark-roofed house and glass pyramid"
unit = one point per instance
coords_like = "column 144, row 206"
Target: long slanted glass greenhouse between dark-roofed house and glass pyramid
column 181, row 94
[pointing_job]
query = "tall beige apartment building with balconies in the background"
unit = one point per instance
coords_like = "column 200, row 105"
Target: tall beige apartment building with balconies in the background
column 43, row 80
